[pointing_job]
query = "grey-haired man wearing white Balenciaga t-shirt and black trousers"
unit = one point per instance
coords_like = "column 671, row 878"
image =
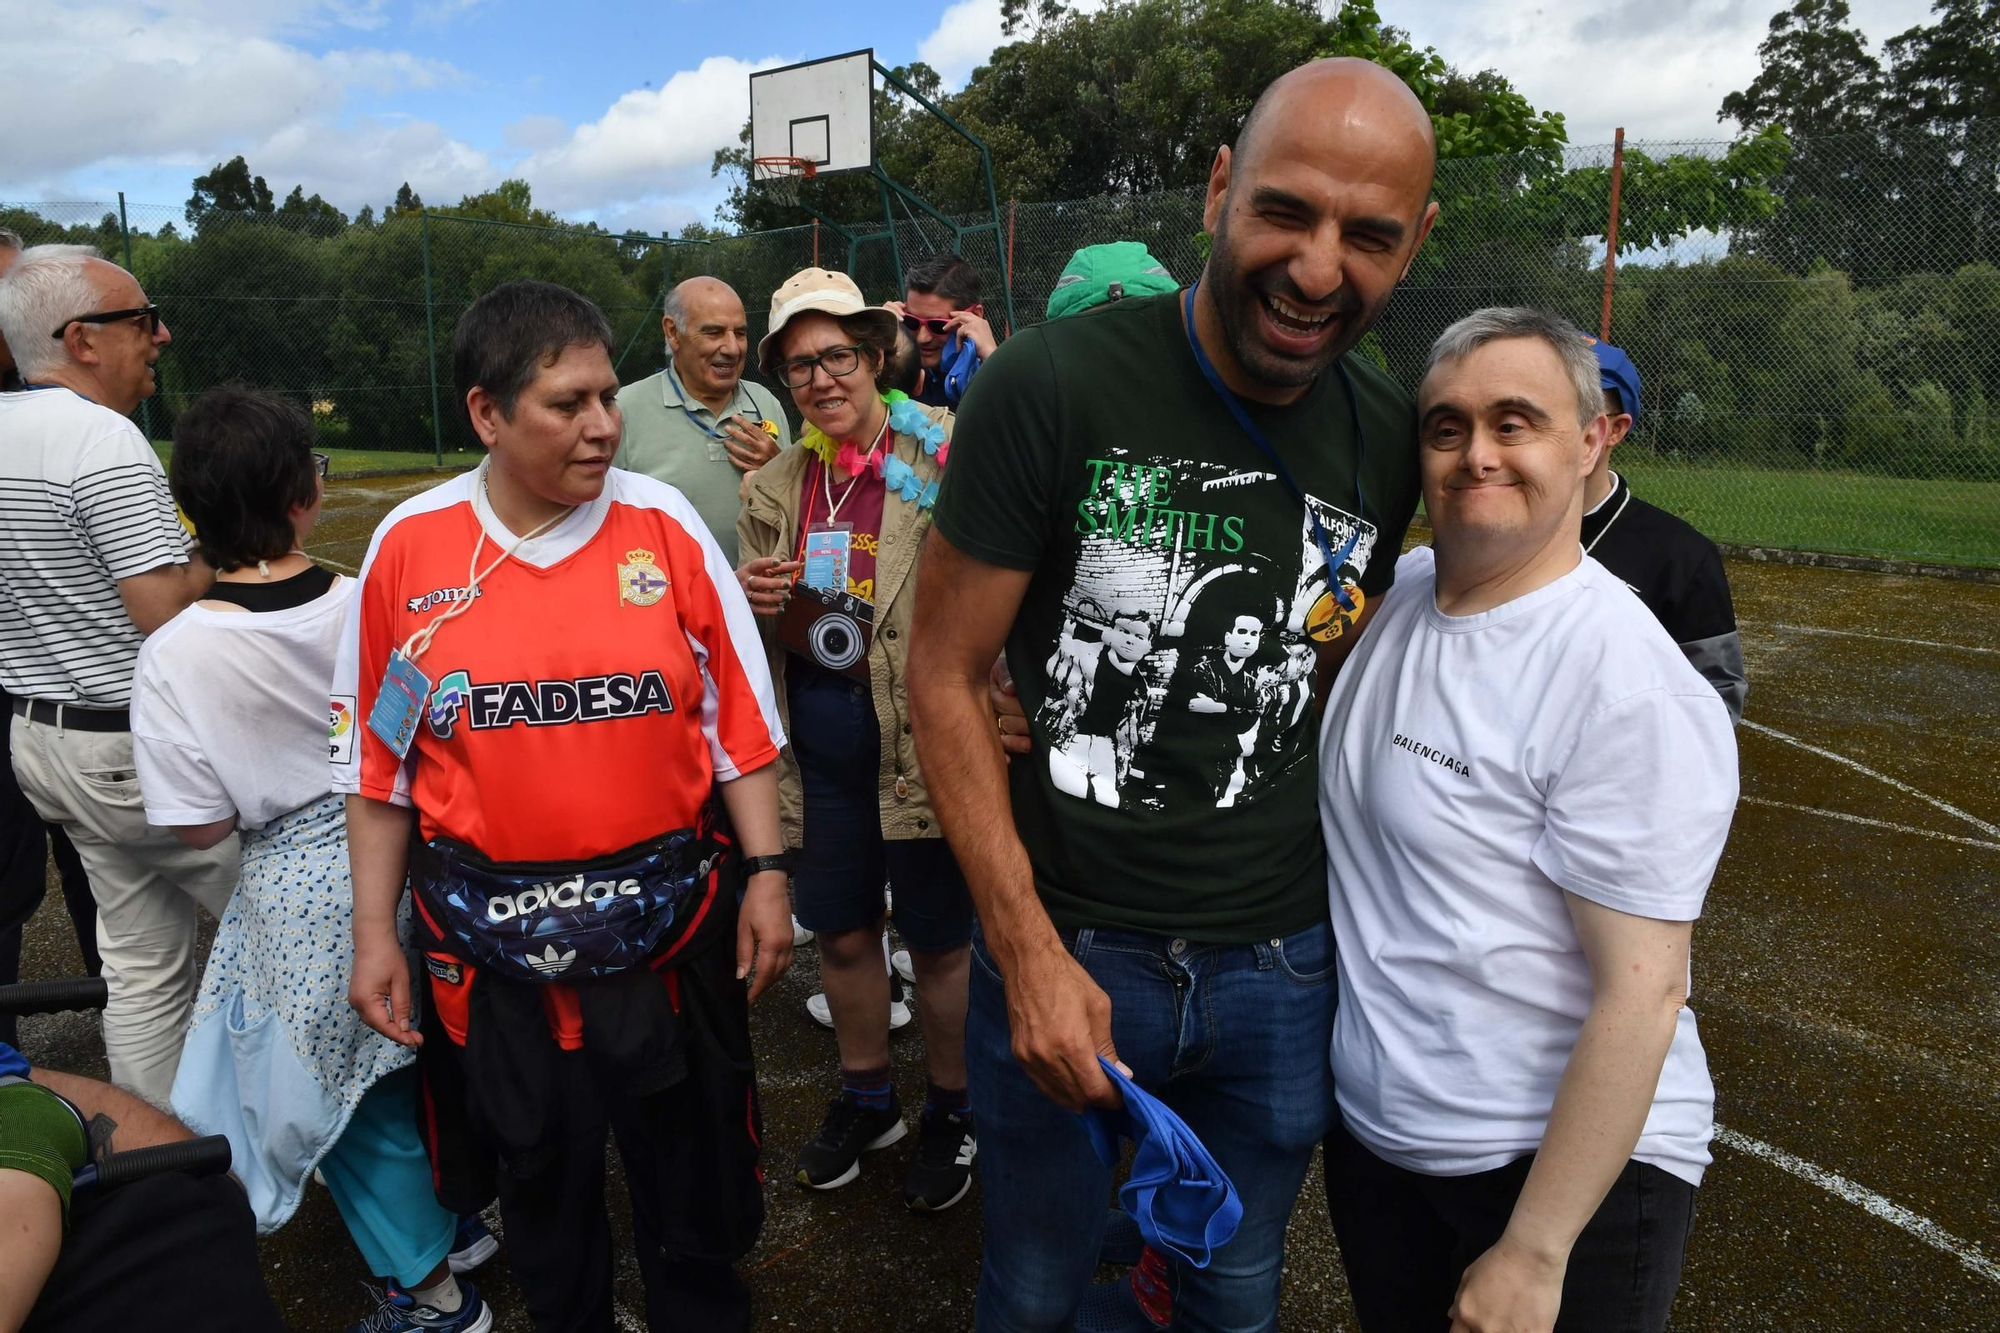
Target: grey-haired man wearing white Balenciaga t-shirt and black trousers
column 1525, row 794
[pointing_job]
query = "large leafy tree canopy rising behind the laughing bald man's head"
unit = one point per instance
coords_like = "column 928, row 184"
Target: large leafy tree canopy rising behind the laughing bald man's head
column 1135, row 99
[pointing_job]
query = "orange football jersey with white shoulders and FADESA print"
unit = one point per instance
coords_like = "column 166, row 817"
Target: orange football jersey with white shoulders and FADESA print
column 599, row 686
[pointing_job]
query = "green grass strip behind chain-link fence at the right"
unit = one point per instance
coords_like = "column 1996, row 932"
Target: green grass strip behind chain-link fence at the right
column 1845, row 513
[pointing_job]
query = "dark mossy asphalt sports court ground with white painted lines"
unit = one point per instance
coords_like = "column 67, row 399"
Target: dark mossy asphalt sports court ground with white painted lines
column 1847, row 976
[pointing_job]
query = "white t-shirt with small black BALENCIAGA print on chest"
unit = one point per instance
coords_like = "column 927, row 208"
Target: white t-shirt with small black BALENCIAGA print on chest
column 1475, row 770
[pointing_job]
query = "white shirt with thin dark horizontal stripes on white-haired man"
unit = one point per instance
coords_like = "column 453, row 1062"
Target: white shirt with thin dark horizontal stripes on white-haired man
column 83, row 505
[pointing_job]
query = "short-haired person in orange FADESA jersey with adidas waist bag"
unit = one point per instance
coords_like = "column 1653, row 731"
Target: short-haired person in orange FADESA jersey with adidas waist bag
column 571, row 750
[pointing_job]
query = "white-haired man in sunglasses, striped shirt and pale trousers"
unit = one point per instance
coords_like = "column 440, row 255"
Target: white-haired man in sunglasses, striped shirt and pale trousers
column 93, row 559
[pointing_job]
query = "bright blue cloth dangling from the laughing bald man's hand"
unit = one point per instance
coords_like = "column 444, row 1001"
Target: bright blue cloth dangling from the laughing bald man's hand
column 1179, row 1196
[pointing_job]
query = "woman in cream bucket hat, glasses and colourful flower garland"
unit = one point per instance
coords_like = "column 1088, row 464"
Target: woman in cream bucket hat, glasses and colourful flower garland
column 847, row 515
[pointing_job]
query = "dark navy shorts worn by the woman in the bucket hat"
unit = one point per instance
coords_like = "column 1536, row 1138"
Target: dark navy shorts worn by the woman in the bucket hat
column 847, row 864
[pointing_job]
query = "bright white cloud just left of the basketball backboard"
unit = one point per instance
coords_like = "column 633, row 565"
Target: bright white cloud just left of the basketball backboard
column 653, row 143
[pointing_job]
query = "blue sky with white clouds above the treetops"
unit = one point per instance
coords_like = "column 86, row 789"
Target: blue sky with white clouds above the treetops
column 615, row 109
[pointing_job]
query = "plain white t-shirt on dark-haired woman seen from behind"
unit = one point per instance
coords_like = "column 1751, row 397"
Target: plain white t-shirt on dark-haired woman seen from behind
column 229, row 712
